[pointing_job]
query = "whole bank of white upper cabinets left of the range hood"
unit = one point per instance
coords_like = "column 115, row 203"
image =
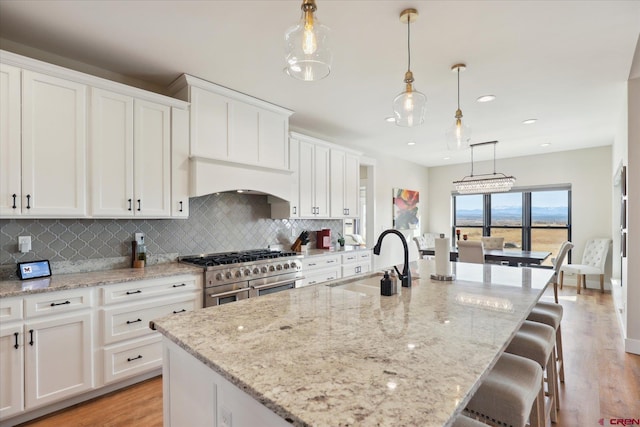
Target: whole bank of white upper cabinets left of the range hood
column 73, row 143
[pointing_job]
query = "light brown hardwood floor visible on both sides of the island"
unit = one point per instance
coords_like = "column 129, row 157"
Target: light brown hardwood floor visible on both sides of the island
column 601, row 380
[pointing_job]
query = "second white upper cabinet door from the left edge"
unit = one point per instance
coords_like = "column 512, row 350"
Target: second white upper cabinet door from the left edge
column 54, row 117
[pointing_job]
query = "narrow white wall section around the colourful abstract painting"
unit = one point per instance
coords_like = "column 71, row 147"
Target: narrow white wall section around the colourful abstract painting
column 393, row 173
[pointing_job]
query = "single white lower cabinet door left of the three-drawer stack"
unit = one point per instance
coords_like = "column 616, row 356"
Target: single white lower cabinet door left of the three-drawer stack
column 58, row 358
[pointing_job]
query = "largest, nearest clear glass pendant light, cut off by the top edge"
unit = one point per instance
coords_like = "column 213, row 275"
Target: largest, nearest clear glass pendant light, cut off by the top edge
column 306, row 45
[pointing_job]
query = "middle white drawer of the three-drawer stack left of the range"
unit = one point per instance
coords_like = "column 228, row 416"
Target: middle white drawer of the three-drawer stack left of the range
column 132, row 320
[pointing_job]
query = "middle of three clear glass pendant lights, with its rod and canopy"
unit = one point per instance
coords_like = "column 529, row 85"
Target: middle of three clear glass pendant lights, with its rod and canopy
column 409, row 107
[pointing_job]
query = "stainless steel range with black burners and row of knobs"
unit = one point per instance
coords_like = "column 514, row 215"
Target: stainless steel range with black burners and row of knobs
column 233, row 276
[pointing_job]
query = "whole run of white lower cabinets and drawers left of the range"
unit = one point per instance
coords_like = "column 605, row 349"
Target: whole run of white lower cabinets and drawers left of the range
column 61, row 345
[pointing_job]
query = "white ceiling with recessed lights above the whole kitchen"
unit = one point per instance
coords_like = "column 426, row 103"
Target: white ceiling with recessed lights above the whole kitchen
column 564, row 63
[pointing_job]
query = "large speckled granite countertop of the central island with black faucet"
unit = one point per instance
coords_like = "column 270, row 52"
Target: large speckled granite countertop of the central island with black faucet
column 344, row 355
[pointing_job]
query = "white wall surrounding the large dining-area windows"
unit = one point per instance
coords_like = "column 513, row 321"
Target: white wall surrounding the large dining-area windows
column 588, row 171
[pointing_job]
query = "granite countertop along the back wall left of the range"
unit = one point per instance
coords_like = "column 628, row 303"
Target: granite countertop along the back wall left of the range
column 59, row 282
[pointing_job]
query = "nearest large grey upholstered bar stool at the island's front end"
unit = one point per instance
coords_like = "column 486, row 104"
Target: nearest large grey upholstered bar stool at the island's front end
column 511, row 394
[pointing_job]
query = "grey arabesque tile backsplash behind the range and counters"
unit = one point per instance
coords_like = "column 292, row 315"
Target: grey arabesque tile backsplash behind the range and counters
column 217, row 223
